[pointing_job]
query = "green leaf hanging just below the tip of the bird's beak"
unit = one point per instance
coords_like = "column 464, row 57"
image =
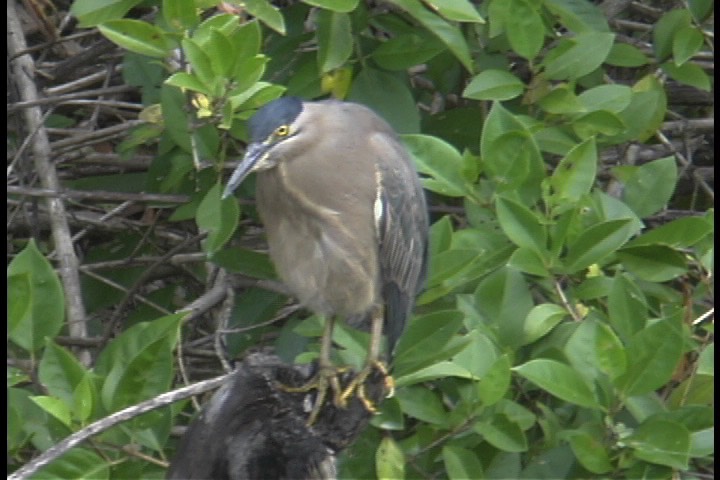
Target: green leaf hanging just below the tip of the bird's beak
column 217, row 216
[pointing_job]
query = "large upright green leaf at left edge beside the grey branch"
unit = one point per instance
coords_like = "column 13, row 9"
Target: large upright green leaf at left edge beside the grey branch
column 36, row 305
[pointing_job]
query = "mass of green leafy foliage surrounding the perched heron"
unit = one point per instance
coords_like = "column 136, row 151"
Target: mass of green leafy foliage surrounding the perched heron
column 563, row 331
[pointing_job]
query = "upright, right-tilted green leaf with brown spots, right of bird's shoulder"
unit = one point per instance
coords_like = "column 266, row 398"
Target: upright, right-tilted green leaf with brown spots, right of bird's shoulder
column 575, row 174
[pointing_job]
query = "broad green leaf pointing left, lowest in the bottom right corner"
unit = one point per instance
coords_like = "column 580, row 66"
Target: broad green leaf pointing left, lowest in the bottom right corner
column 662, row 442
